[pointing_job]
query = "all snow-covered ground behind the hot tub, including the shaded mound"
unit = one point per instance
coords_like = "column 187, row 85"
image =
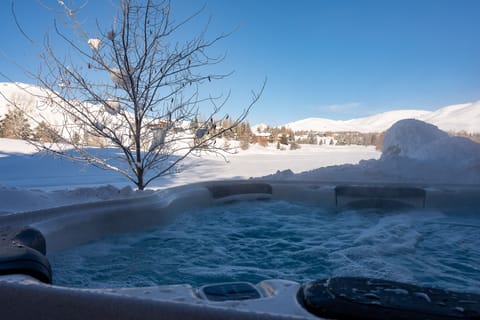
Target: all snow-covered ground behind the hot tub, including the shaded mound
column 413, row 152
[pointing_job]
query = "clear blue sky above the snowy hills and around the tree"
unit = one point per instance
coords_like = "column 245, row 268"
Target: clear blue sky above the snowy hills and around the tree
column 334, row 59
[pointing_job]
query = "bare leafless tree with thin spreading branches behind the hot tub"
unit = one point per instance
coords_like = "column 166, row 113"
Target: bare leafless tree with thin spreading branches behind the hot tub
column 136, row 87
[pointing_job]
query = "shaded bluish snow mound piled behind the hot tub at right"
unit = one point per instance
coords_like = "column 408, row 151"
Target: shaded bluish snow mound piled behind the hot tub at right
column 413, row 152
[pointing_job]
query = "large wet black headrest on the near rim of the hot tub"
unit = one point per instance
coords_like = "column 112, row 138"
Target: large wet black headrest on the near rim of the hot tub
column 376, row 299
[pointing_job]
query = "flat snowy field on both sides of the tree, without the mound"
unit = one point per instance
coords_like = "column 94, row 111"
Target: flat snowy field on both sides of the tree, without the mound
column 31, row 180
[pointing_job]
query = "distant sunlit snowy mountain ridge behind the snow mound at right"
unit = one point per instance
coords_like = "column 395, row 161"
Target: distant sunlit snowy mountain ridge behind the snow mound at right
column 461, row 117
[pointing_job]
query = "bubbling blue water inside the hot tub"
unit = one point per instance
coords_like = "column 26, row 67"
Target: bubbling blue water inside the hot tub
column 254, row 241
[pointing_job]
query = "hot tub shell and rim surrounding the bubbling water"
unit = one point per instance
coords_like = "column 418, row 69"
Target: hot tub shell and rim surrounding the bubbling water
column 68, row 227
